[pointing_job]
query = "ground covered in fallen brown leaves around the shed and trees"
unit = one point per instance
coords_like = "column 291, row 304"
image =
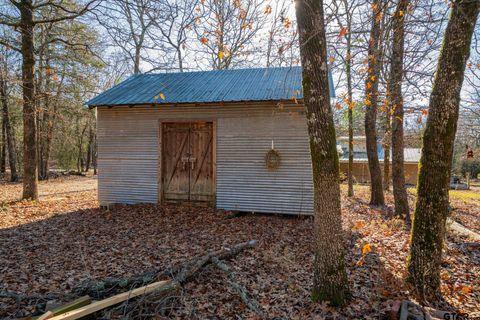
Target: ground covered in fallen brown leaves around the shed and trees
column 65, row 239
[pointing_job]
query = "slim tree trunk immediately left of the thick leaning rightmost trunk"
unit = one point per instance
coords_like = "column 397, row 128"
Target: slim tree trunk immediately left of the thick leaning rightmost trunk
column 396, row 75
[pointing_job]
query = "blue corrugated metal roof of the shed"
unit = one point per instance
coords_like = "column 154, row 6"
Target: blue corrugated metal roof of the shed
column 236, row 85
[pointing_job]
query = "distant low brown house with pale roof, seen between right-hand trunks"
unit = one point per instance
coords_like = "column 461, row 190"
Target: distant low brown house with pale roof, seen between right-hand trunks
column 361, row 172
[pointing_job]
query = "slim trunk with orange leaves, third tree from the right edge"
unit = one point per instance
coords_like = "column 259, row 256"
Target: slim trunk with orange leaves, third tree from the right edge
column 371, row 102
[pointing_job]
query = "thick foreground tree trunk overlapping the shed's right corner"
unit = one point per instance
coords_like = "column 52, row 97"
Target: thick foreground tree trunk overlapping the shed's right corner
column 330, row 278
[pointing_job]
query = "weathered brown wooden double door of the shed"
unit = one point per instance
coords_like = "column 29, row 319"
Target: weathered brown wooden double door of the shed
column 188, row 162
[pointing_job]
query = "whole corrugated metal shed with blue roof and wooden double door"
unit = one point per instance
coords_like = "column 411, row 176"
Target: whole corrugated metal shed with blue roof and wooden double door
column 206, row 137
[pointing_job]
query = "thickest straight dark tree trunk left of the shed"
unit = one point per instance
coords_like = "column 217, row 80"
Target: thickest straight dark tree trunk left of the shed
column 30, row 169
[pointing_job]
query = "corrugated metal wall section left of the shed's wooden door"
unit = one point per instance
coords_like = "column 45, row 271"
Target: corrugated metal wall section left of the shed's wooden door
column 127, row 158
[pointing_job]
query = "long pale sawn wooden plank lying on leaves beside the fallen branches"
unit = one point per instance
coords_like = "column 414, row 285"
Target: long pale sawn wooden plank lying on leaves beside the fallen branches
column 102, row 304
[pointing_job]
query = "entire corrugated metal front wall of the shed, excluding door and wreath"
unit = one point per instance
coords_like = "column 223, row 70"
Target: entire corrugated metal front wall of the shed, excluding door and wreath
column 128, row 156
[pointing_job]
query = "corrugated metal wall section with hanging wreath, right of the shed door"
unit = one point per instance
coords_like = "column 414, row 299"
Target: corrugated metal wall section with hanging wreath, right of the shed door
column 243, row 181
